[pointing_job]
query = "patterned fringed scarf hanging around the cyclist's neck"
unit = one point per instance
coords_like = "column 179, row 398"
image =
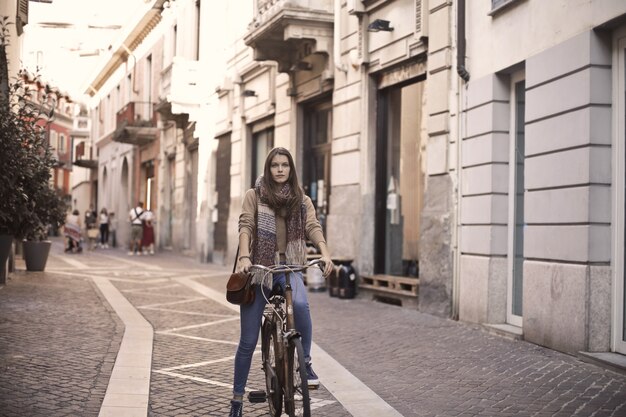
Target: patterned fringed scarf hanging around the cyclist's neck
column 265, row 246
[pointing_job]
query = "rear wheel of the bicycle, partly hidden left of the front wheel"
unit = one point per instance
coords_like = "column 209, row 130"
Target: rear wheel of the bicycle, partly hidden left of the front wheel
column 274, row 391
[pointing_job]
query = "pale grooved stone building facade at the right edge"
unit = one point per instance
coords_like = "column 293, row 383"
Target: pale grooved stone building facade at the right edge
column 541, row 162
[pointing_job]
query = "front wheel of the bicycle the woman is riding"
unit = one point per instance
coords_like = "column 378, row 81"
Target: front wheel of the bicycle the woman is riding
column 297, row 401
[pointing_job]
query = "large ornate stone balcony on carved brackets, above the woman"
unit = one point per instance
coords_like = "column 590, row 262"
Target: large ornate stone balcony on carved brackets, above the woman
column 286, row 31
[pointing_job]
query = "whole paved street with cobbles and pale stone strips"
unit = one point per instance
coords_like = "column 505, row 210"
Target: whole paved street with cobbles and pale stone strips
column 60, row 339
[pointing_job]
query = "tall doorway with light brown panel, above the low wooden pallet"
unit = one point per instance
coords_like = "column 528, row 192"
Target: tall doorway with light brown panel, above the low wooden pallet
column 399, row 180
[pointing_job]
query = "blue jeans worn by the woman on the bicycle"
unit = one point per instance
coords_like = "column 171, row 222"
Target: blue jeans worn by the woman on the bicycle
column 251, row 316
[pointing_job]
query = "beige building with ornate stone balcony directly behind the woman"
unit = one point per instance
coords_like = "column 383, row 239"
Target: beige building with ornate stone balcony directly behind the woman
column 343, row 85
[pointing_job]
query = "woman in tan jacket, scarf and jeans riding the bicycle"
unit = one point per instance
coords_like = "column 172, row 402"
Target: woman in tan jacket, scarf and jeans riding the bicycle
column 275, row 220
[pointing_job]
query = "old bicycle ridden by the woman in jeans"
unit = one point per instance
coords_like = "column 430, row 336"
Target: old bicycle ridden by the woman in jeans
column 281, row 350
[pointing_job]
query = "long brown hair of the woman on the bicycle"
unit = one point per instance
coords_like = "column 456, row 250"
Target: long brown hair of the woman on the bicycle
column 275, row 198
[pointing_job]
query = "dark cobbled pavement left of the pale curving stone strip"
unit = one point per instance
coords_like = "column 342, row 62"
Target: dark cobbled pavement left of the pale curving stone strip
column 58, row 342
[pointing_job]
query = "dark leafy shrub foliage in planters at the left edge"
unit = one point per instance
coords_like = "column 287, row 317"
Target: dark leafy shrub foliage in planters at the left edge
column 28, row 206
